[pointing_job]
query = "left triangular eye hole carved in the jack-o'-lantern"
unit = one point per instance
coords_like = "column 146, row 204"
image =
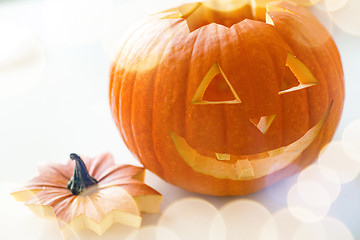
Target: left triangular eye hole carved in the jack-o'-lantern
column 215, row 88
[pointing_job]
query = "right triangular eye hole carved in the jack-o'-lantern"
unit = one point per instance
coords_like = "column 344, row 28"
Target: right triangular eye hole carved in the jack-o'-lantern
column 303, row 76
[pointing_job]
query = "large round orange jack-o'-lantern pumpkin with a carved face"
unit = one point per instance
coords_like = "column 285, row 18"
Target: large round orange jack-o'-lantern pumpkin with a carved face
column 158, row 71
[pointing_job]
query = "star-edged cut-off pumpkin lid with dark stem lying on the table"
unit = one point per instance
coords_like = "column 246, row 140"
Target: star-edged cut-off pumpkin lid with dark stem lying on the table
column 93, row 199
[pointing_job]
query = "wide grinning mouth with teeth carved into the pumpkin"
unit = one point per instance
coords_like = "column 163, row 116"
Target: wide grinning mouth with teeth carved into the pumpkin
column 248, row 166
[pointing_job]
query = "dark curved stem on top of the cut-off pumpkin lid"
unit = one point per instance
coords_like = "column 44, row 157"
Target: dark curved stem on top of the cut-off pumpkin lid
column 81, row 178
